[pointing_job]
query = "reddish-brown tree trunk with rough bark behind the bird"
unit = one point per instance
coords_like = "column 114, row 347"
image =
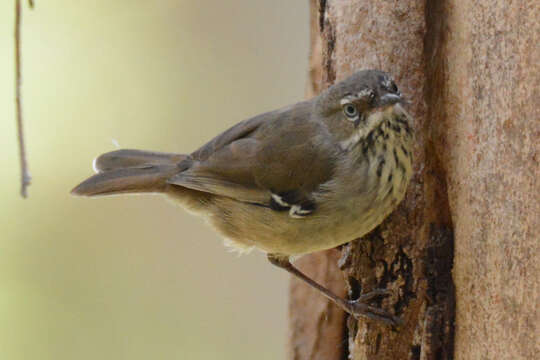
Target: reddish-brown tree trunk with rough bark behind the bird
column 470, row 71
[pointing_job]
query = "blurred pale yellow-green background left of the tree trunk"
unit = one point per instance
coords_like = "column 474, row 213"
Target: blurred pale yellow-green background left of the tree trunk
column 135, row 277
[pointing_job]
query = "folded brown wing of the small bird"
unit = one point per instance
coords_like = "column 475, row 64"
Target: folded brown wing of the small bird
column 277, row 153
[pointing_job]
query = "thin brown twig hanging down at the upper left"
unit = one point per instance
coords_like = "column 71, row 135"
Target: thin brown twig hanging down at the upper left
column 25, row 176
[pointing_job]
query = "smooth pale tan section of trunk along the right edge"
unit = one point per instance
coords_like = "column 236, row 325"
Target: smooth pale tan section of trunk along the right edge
column 485, row 84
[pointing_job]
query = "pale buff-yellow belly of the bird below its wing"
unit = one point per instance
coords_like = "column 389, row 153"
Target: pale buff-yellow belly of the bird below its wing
column 335, row 222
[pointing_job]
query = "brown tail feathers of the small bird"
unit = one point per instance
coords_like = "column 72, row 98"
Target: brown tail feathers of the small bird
column 130, row 171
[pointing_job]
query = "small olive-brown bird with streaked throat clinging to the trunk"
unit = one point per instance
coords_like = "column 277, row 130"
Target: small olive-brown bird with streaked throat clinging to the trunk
column 304, row 178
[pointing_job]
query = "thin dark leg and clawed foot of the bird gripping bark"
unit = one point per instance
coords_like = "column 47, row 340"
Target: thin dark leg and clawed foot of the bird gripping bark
column 356, row 308
